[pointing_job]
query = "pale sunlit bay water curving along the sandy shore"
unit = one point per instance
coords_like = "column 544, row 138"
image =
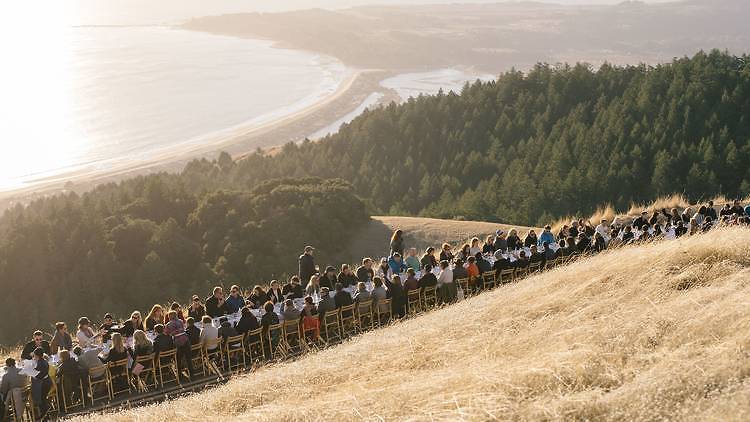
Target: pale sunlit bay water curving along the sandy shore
column 96, row 97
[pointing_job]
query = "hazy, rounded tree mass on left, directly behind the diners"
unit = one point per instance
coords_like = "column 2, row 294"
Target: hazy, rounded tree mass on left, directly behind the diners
column 150, row 239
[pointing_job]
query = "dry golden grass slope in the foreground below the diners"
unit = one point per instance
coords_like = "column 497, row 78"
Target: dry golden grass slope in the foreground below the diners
column 649, row 332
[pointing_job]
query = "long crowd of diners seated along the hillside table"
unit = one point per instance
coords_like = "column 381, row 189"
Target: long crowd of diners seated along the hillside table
column 179, row 328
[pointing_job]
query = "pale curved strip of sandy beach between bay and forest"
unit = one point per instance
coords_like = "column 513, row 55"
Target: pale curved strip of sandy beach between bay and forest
column 238, row 141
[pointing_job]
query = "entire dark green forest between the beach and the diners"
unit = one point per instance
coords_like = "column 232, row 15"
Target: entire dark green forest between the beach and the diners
column 524, row 149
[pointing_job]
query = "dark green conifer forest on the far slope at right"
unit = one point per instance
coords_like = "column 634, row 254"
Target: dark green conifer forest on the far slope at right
column 527, row 148
